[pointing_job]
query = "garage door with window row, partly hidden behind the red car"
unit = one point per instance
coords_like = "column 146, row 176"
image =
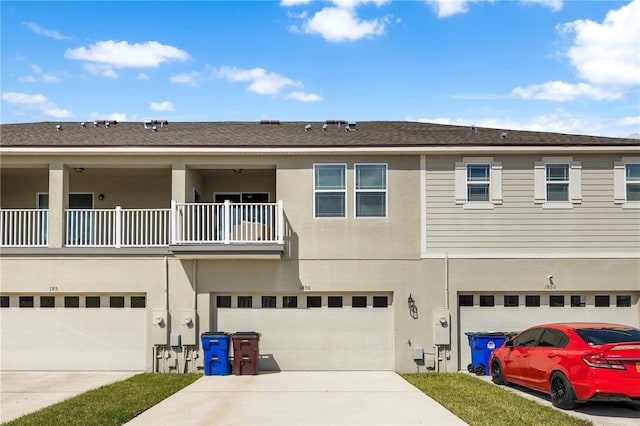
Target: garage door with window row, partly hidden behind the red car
column 515, row 312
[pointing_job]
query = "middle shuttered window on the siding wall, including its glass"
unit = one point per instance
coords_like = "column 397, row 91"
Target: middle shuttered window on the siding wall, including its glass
column 558, row 182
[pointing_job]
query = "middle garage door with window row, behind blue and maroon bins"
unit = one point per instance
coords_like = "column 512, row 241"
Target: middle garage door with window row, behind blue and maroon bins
column 313, row 332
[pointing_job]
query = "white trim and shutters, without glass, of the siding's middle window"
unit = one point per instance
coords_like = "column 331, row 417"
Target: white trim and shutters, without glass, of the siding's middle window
column 574, row 184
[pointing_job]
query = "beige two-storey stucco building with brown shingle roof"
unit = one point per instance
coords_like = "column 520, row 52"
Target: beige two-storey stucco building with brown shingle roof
column 348, row 246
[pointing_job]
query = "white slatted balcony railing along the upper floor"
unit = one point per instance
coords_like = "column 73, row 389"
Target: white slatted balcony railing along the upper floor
column 187, row 229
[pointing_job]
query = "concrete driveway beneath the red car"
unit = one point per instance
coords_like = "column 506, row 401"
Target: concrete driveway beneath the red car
column 598, row 413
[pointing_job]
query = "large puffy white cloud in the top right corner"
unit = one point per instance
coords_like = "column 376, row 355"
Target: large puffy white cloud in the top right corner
column 608, row 53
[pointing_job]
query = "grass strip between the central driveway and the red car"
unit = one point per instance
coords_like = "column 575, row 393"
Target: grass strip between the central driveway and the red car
column 482, row 403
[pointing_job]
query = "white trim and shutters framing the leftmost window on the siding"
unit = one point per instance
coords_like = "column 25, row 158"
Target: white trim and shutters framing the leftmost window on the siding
column 462, row 184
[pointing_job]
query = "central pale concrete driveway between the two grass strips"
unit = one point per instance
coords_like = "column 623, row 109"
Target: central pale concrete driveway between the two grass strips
column 299, row 398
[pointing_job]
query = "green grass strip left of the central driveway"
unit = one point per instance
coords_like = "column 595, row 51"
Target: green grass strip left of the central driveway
column 112, row 404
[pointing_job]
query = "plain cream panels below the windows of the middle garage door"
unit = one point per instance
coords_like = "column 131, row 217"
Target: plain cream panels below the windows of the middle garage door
column 319, row 338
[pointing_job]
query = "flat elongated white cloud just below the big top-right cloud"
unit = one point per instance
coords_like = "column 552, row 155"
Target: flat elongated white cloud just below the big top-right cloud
column 560, row 91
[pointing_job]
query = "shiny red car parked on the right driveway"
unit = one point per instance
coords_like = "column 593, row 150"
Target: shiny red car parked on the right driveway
column 573, row 362
